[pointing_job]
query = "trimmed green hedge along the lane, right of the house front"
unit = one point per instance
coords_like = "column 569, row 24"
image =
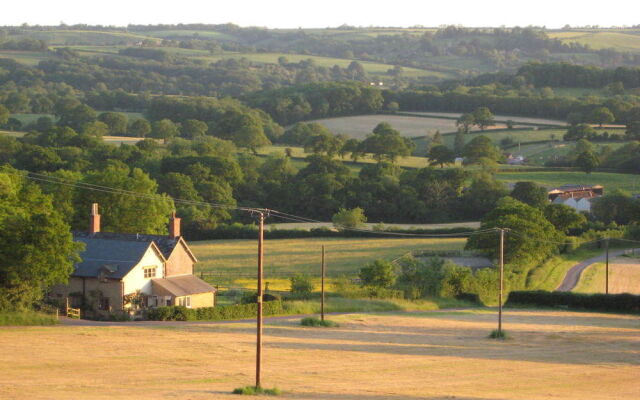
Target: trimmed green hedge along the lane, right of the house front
column 238, row 311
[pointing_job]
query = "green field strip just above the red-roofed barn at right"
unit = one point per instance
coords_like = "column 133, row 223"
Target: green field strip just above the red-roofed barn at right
column 610, row 181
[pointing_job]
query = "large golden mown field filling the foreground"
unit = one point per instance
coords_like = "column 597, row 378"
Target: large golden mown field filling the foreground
column 432, row 355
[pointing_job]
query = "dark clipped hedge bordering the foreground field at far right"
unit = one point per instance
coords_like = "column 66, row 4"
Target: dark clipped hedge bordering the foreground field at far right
column 599, row 302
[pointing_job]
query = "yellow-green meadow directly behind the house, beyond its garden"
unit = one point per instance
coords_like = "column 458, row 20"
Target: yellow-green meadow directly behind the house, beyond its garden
column 286, row 257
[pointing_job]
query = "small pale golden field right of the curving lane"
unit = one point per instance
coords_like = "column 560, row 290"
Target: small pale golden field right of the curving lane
column 624, row 277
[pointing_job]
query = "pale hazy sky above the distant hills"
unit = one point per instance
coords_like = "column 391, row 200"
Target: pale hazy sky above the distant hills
column 324, row 13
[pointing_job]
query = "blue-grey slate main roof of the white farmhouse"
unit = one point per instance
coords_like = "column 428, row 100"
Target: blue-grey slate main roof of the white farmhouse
column 109, row 258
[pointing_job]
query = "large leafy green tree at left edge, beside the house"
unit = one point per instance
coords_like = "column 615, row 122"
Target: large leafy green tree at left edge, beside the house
column 36, row 245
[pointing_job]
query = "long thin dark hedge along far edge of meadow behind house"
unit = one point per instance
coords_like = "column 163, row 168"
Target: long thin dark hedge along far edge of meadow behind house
column 239, row 231
